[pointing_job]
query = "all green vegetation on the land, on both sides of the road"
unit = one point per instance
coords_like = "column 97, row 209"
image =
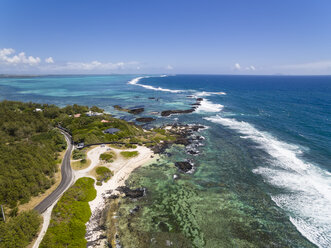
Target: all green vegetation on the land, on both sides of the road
column 29, row 148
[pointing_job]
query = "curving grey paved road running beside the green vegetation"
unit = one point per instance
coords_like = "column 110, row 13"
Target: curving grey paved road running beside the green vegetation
column 67, row 175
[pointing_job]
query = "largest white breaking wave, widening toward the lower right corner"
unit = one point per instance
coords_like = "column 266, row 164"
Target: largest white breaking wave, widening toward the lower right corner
column 308, row 200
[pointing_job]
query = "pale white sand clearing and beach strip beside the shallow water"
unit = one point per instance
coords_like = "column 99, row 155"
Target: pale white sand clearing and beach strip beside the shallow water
column 122, row 169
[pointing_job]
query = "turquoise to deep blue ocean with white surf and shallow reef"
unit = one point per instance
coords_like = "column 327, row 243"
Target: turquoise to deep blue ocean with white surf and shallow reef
column 263, row 173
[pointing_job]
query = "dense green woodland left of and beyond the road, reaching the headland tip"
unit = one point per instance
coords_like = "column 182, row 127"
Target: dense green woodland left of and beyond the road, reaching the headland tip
column 30, row 144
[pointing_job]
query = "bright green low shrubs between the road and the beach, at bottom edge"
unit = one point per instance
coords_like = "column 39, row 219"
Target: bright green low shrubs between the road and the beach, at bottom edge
column 67, row 226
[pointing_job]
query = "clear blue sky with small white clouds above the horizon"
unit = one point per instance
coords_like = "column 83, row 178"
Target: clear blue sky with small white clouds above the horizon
column 127, row 36
